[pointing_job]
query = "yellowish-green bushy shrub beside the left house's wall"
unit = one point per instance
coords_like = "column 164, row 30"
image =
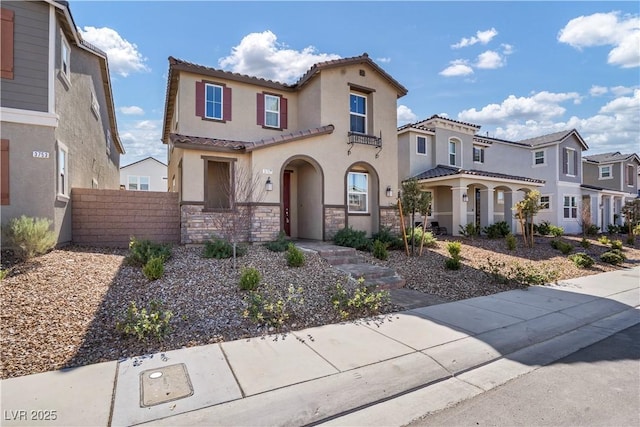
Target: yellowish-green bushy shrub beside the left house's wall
column 29, row 237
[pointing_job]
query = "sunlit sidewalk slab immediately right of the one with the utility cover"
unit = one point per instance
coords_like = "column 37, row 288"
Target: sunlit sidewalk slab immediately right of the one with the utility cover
column 265, row 363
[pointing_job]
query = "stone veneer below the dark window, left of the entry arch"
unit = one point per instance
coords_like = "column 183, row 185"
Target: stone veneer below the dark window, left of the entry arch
column 198, row 225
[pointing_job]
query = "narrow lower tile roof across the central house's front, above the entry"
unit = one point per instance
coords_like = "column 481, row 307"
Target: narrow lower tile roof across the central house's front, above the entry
column 227, row 145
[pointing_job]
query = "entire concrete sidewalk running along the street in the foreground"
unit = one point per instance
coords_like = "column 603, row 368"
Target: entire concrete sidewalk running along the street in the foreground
column 385, row 371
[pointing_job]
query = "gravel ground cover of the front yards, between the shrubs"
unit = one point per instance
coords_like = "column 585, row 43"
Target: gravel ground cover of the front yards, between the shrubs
column 60, row 309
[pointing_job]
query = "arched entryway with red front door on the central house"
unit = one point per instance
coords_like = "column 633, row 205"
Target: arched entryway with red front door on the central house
column 302, row 198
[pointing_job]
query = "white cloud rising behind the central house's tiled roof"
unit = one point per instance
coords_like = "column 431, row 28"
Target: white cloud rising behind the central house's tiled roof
column 259, row 54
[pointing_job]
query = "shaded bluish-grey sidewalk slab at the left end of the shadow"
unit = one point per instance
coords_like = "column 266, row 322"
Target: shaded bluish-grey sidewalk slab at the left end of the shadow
column 466, row 317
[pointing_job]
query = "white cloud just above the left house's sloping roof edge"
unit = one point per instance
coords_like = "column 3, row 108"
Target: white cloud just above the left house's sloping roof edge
column 124, row 57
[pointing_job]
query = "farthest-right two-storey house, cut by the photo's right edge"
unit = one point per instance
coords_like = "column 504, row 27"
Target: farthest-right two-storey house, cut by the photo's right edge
column 611, row 179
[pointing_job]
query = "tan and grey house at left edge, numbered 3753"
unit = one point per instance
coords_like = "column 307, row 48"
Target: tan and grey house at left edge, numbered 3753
column 57, row 114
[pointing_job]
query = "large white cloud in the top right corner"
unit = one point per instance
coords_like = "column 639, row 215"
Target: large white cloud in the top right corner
column 606, row 29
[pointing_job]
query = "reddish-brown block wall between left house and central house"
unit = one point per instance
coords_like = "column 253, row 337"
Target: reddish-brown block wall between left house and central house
column 109, row 218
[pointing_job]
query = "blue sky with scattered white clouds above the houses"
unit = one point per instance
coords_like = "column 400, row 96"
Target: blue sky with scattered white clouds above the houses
column 518, row 69
